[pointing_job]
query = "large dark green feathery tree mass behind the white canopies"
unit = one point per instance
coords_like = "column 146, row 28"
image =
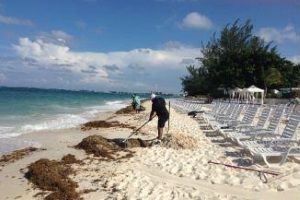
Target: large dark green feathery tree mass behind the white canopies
column 238, row 58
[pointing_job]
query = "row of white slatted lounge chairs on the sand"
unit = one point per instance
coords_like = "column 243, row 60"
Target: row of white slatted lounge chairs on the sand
column 265, row 131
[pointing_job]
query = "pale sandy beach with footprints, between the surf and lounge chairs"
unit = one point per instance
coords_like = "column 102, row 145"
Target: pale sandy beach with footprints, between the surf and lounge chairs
column 178, row 168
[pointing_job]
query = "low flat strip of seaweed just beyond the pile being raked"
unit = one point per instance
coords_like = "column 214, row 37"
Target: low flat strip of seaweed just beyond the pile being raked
column 104, row 124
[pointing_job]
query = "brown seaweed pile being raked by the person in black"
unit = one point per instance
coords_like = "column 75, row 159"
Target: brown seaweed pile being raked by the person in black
column 109, row 148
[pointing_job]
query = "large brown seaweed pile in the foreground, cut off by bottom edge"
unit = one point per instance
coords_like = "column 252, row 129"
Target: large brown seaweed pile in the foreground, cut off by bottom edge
column 52, row 175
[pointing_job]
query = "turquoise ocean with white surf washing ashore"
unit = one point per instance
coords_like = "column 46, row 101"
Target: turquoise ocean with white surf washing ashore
column 24, row 110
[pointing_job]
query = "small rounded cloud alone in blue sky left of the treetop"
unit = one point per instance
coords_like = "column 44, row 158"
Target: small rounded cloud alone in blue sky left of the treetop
column 197, row 21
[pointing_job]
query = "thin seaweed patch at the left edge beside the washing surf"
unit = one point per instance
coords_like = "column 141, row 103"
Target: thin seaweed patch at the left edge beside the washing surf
column 17, row 155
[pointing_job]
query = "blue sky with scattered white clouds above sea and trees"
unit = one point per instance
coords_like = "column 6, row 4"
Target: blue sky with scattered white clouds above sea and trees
column 132, row 45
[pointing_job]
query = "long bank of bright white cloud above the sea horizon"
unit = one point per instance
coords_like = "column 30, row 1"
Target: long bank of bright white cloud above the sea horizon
column 102, row 66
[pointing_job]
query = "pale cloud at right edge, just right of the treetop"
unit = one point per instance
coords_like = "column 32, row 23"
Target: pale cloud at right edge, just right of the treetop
column 287, row 34
